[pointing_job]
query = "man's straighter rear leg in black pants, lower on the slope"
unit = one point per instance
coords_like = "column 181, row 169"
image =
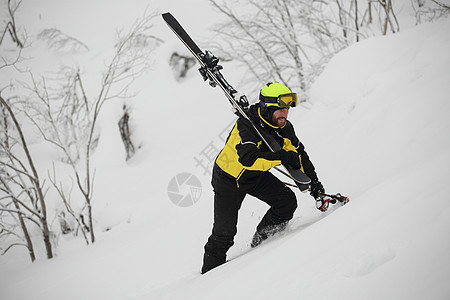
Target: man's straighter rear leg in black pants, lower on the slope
column 226, row 207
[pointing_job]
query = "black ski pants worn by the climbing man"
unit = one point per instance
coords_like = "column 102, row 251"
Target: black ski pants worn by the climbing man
column 227, row 202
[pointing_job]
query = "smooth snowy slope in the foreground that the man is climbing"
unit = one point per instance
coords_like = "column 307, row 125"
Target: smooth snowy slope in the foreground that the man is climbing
column 378, row 129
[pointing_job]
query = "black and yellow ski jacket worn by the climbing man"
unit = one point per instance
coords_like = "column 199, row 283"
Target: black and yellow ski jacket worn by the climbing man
column 245, row 156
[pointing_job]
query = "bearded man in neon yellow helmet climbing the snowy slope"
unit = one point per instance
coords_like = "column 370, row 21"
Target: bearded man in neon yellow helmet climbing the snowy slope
column 242, row 167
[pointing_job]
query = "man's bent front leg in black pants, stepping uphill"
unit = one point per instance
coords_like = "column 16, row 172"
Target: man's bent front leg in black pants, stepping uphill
column 282, row 202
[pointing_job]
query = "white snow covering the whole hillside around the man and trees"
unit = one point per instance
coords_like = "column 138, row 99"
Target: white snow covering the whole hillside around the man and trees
column 377, row 131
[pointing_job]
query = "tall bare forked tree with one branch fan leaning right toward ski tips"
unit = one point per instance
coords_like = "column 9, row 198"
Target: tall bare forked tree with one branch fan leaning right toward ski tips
column 67, row 117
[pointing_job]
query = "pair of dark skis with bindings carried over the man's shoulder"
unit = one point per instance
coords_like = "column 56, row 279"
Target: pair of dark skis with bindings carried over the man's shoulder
column 210, row 70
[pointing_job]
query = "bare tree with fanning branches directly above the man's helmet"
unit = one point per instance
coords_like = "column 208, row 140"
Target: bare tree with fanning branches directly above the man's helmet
column 266, row 41
